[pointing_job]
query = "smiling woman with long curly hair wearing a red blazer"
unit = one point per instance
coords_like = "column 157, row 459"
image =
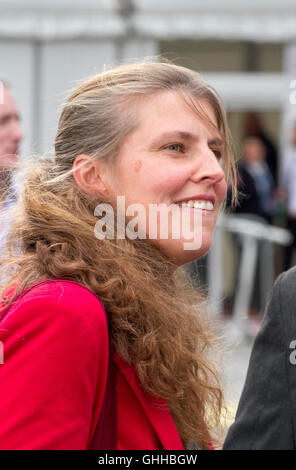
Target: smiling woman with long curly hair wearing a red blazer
column 106, row 344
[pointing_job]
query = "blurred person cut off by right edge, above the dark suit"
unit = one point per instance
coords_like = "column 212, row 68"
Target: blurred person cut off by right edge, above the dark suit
column 289, row 193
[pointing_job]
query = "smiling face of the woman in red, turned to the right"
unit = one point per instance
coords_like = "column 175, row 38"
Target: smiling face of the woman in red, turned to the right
column 171, row 157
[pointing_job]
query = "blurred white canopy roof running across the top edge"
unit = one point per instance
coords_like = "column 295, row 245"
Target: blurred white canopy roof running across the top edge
column 265, row 20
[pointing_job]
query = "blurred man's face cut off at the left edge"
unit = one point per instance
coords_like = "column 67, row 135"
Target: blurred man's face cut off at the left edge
column 10, row 131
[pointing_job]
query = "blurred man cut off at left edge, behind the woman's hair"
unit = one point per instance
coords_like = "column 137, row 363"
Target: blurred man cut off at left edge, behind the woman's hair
column 10, row 137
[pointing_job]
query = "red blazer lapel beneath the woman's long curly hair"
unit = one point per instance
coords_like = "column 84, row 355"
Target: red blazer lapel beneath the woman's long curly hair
column 160, row 419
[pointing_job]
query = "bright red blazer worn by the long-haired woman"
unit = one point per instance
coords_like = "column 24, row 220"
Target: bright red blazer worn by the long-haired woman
column 53, row 377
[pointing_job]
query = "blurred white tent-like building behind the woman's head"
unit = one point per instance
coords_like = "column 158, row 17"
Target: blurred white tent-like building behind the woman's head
column 241, row 48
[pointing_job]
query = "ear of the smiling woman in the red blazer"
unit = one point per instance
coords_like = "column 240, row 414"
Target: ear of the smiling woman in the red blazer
column 88, row 175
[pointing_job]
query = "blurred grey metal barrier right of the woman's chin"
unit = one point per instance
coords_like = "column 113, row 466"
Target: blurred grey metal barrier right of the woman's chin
column 252, row 231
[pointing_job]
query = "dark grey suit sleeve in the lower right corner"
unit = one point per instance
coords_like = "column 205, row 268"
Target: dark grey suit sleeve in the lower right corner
column 265, row 417
